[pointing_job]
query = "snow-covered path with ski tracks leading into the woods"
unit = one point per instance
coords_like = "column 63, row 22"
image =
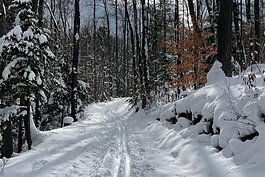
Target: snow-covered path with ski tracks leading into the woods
column 113, row 142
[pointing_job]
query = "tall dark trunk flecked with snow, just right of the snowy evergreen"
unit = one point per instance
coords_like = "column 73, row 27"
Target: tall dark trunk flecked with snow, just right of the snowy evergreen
column 75, row 61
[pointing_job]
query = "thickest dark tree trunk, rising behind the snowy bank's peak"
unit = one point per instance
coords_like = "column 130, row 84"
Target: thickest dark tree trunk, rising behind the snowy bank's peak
column 224, row 36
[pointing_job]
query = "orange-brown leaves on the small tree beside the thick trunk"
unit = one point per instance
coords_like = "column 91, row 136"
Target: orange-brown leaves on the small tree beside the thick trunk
column 192, row 53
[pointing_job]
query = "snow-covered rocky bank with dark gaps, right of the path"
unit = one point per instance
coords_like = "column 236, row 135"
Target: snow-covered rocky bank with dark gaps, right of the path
column 229, row 110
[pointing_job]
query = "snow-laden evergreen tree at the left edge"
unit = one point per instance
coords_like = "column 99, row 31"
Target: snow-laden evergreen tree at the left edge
column 26, row 59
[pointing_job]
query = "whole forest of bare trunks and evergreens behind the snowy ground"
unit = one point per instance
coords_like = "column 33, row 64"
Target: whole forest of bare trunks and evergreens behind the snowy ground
column 58, row 56
